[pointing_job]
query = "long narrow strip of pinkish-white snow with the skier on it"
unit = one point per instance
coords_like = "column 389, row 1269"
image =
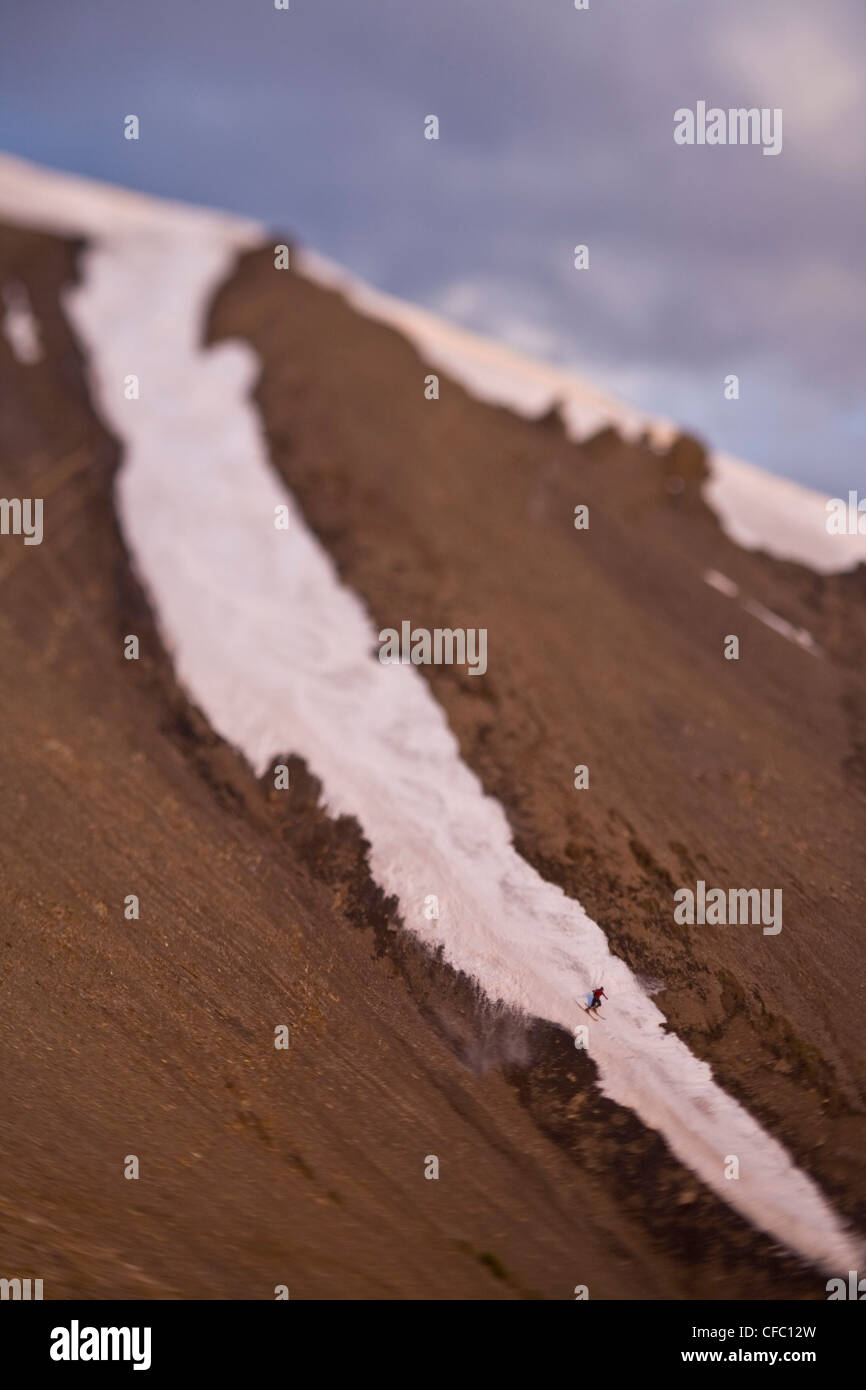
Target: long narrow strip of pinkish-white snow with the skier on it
column 279, row 655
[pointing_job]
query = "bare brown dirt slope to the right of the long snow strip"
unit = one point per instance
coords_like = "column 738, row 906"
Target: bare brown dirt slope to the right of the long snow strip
column 607, row 650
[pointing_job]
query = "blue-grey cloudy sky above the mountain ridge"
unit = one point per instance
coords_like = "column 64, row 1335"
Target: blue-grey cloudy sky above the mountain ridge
column 557, row 129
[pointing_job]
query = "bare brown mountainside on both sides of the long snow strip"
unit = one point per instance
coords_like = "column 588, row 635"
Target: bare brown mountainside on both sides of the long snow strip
column 416, row 530
